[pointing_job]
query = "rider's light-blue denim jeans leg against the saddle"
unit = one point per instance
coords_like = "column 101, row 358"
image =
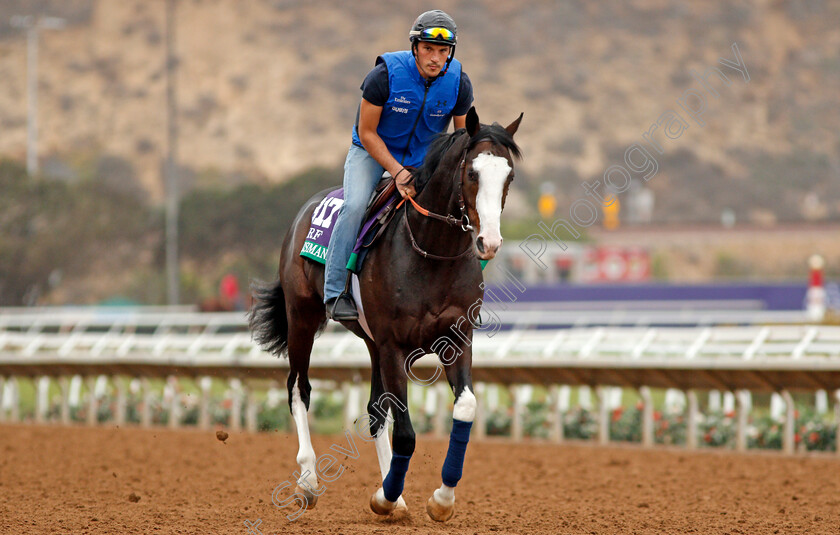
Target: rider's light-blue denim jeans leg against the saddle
column 361, row 175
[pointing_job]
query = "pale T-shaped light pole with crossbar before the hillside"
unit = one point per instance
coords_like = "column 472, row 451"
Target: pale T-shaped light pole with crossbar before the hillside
column 32, row 25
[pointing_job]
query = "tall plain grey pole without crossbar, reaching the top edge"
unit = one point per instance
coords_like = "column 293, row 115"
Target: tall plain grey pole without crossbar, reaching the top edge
column 172, row 193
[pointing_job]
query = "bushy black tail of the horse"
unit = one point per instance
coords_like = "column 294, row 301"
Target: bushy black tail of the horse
column 267, row 318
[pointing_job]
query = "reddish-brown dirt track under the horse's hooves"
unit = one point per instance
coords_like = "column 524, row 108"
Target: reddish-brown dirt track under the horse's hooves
column 78, row 480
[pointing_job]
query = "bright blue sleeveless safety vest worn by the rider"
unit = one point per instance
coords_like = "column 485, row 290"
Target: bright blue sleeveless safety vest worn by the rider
column 414, row 113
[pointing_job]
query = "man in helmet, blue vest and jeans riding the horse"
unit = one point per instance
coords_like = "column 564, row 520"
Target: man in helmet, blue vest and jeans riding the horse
column 407, row 99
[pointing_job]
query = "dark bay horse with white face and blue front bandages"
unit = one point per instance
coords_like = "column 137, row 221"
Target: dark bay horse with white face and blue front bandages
column 417, row 286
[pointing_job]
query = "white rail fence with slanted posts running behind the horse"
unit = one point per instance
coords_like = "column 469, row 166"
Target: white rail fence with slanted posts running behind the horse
column 104, row 346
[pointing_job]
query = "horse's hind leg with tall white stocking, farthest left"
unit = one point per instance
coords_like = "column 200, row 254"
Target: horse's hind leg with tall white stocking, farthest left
column 301, row 336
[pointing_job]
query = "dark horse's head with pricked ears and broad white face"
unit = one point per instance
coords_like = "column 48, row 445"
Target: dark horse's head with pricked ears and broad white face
column 486, row 177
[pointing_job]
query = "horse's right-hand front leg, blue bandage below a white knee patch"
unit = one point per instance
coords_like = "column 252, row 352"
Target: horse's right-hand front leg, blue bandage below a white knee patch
column 441, row 506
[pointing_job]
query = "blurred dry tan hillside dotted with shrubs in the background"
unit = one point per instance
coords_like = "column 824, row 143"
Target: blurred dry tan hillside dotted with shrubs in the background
column 267, row 89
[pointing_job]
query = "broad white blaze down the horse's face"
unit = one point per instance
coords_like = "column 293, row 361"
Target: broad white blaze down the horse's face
column 492, row 175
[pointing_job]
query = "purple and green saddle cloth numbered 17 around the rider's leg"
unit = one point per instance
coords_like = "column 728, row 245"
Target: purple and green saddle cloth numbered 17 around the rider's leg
column 379, row 213
